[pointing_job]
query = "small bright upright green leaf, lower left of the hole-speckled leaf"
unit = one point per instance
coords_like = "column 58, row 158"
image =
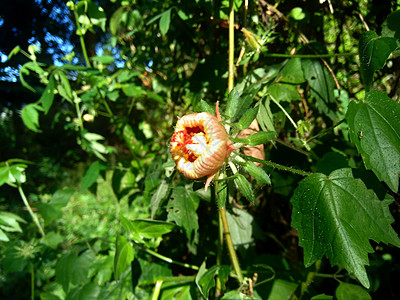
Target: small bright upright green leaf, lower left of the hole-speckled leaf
column 124, row 255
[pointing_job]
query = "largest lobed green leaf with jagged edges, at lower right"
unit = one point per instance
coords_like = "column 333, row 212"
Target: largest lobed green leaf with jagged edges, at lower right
column 336, row 216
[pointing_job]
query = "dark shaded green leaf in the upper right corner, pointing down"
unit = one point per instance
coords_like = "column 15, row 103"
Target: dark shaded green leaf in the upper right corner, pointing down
column 373, row 51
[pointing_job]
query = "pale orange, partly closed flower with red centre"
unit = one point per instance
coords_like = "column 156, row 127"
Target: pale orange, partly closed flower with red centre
column 200, row 145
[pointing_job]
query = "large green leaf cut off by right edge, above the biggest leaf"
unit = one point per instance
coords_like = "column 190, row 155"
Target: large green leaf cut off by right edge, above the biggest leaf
column 374, row 128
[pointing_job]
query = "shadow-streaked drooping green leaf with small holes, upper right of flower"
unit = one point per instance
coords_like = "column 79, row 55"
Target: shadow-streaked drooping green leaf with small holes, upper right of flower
column 321, row 86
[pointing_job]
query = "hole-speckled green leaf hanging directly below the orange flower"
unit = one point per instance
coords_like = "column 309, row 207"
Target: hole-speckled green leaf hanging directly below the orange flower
column 182, row 210
